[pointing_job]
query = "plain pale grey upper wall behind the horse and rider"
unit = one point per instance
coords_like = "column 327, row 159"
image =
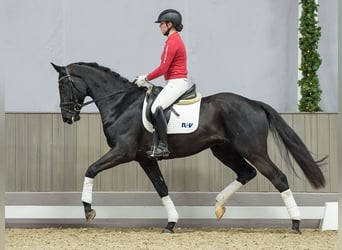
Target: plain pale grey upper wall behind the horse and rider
column 247, row 47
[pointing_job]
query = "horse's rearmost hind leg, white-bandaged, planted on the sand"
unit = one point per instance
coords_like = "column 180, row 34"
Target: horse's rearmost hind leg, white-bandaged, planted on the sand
column 278, row 179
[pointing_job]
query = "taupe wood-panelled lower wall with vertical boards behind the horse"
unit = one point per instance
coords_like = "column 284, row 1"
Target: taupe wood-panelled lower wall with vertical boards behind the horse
column 45, row 155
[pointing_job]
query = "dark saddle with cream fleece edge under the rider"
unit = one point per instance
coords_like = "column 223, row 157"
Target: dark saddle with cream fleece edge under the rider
column 189, row 97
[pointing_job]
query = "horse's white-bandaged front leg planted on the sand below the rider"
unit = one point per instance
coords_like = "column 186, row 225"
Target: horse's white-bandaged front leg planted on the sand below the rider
column 153, row 172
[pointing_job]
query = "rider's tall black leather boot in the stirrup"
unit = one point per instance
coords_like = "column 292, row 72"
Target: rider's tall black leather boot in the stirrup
column 160, row 147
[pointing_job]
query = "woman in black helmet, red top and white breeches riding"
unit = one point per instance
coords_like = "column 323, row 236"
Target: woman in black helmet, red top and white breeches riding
column 173, row 67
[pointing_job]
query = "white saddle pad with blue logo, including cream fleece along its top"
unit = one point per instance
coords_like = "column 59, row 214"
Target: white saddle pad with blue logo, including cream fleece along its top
column 183, row 116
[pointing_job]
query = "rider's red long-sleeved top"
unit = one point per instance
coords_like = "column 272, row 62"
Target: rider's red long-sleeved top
column 173, row 60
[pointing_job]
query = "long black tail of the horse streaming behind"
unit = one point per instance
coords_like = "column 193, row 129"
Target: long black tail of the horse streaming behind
column 295, row 146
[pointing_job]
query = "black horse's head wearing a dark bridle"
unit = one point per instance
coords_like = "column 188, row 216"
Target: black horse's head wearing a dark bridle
column 72, row 92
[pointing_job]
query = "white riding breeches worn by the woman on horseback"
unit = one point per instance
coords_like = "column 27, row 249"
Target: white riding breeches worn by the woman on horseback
column 173, row 89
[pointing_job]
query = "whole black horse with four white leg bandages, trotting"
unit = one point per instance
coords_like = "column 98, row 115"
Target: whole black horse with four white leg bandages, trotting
column 233, row 127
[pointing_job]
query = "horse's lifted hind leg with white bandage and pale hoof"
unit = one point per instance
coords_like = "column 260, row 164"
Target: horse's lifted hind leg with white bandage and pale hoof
column 245, row 172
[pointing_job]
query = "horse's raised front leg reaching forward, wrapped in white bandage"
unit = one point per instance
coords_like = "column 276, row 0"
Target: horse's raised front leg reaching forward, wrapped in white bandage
column 109, row 160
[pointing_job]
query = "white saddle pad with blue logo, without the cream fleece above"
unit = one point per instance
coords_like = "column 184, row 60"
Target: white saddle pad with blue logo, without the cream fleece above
column 186, row 122
